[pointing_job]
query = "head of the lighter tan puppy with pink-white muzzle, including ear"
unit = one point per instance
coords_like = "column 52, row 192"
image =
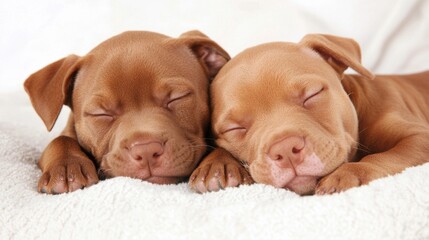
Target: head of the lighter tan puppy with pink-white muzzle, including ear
column 280, row 108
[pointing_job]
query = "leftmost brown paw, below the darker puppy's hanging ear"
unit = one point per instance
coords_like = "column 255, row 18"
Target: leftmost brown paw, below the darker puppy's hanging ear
column 67, row 176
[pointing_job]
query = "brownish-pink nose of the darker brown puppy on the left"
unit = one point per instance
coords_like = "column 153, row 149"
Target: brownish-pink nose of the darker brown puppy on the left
column 146, row 151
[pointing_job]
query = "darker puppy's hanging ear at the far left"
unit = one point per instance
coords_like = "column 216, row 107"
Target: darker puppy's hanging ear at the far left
column 49, row 88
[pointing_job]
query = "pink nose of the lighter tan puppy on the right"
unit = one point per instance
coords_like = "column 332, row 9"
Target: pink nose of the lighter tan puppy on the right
column 289, row 148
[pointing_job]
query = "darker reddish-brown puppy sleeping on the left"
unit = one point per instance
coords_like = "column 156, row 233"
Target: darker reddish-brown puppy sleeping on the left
column 139, row 106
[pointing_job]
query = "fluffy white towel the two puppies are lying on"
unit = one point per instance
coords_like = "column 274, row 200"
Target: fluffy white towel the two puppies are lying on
column 395, row 207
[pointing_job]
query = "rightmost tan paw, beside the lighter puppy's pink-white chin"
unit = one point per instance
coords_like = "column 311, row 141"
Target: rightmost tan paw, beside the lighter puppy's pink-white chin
column 347, row 176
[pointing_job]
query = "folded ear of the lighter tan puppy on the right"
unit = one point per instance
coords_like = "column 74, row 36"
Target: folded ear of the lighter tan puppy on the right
column 339, row 52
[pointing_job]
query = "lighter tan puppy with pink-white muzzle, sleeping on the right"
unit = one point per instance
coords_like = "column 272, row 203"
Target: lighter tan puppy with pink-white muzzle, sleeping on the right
column 291, row 115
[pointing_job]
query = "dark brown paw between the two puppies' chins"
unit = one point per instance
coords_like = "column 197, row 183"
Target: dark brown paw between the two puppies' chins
column 218, row 171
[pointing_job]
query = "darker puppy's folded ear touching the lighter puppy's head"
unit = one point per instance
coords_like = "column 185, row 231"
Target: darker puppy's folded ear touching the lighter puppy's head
column 211, row 56
